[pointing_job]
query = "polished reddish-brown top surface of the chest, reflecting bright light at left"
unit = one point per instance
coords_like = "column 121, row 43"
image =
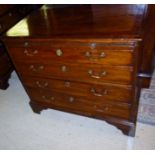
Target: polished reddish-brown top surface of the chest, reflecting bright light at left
column 82, row 21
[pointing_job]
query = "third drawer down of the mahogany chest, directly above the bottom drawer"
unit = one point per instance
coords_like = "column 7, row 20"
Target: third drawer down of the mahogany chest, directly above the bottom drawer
column 94, row 92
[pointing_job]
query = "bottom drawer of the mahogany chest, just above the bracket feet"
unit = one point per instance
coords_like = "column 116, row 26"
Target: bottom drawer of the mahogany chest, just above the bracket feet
column 78, row 104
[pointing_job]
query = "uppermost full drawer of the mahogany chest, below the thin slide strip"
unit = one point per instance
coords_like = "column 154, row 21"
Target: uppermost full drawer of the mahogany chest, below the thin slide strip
column 78, row 54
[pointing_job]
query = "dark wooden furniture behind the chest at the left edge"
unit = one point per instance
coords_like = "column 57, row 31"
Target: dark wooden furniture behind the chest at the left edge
column 10, row 14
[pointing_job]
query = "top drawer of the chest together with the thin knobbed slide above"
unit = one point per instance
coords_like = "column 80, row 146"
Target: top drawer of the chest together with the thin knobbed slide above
column 110, row 54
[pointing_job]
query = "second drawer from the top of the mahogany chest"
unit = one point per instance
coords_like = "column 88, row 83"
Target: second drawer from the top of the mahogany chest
column 78, row 72
